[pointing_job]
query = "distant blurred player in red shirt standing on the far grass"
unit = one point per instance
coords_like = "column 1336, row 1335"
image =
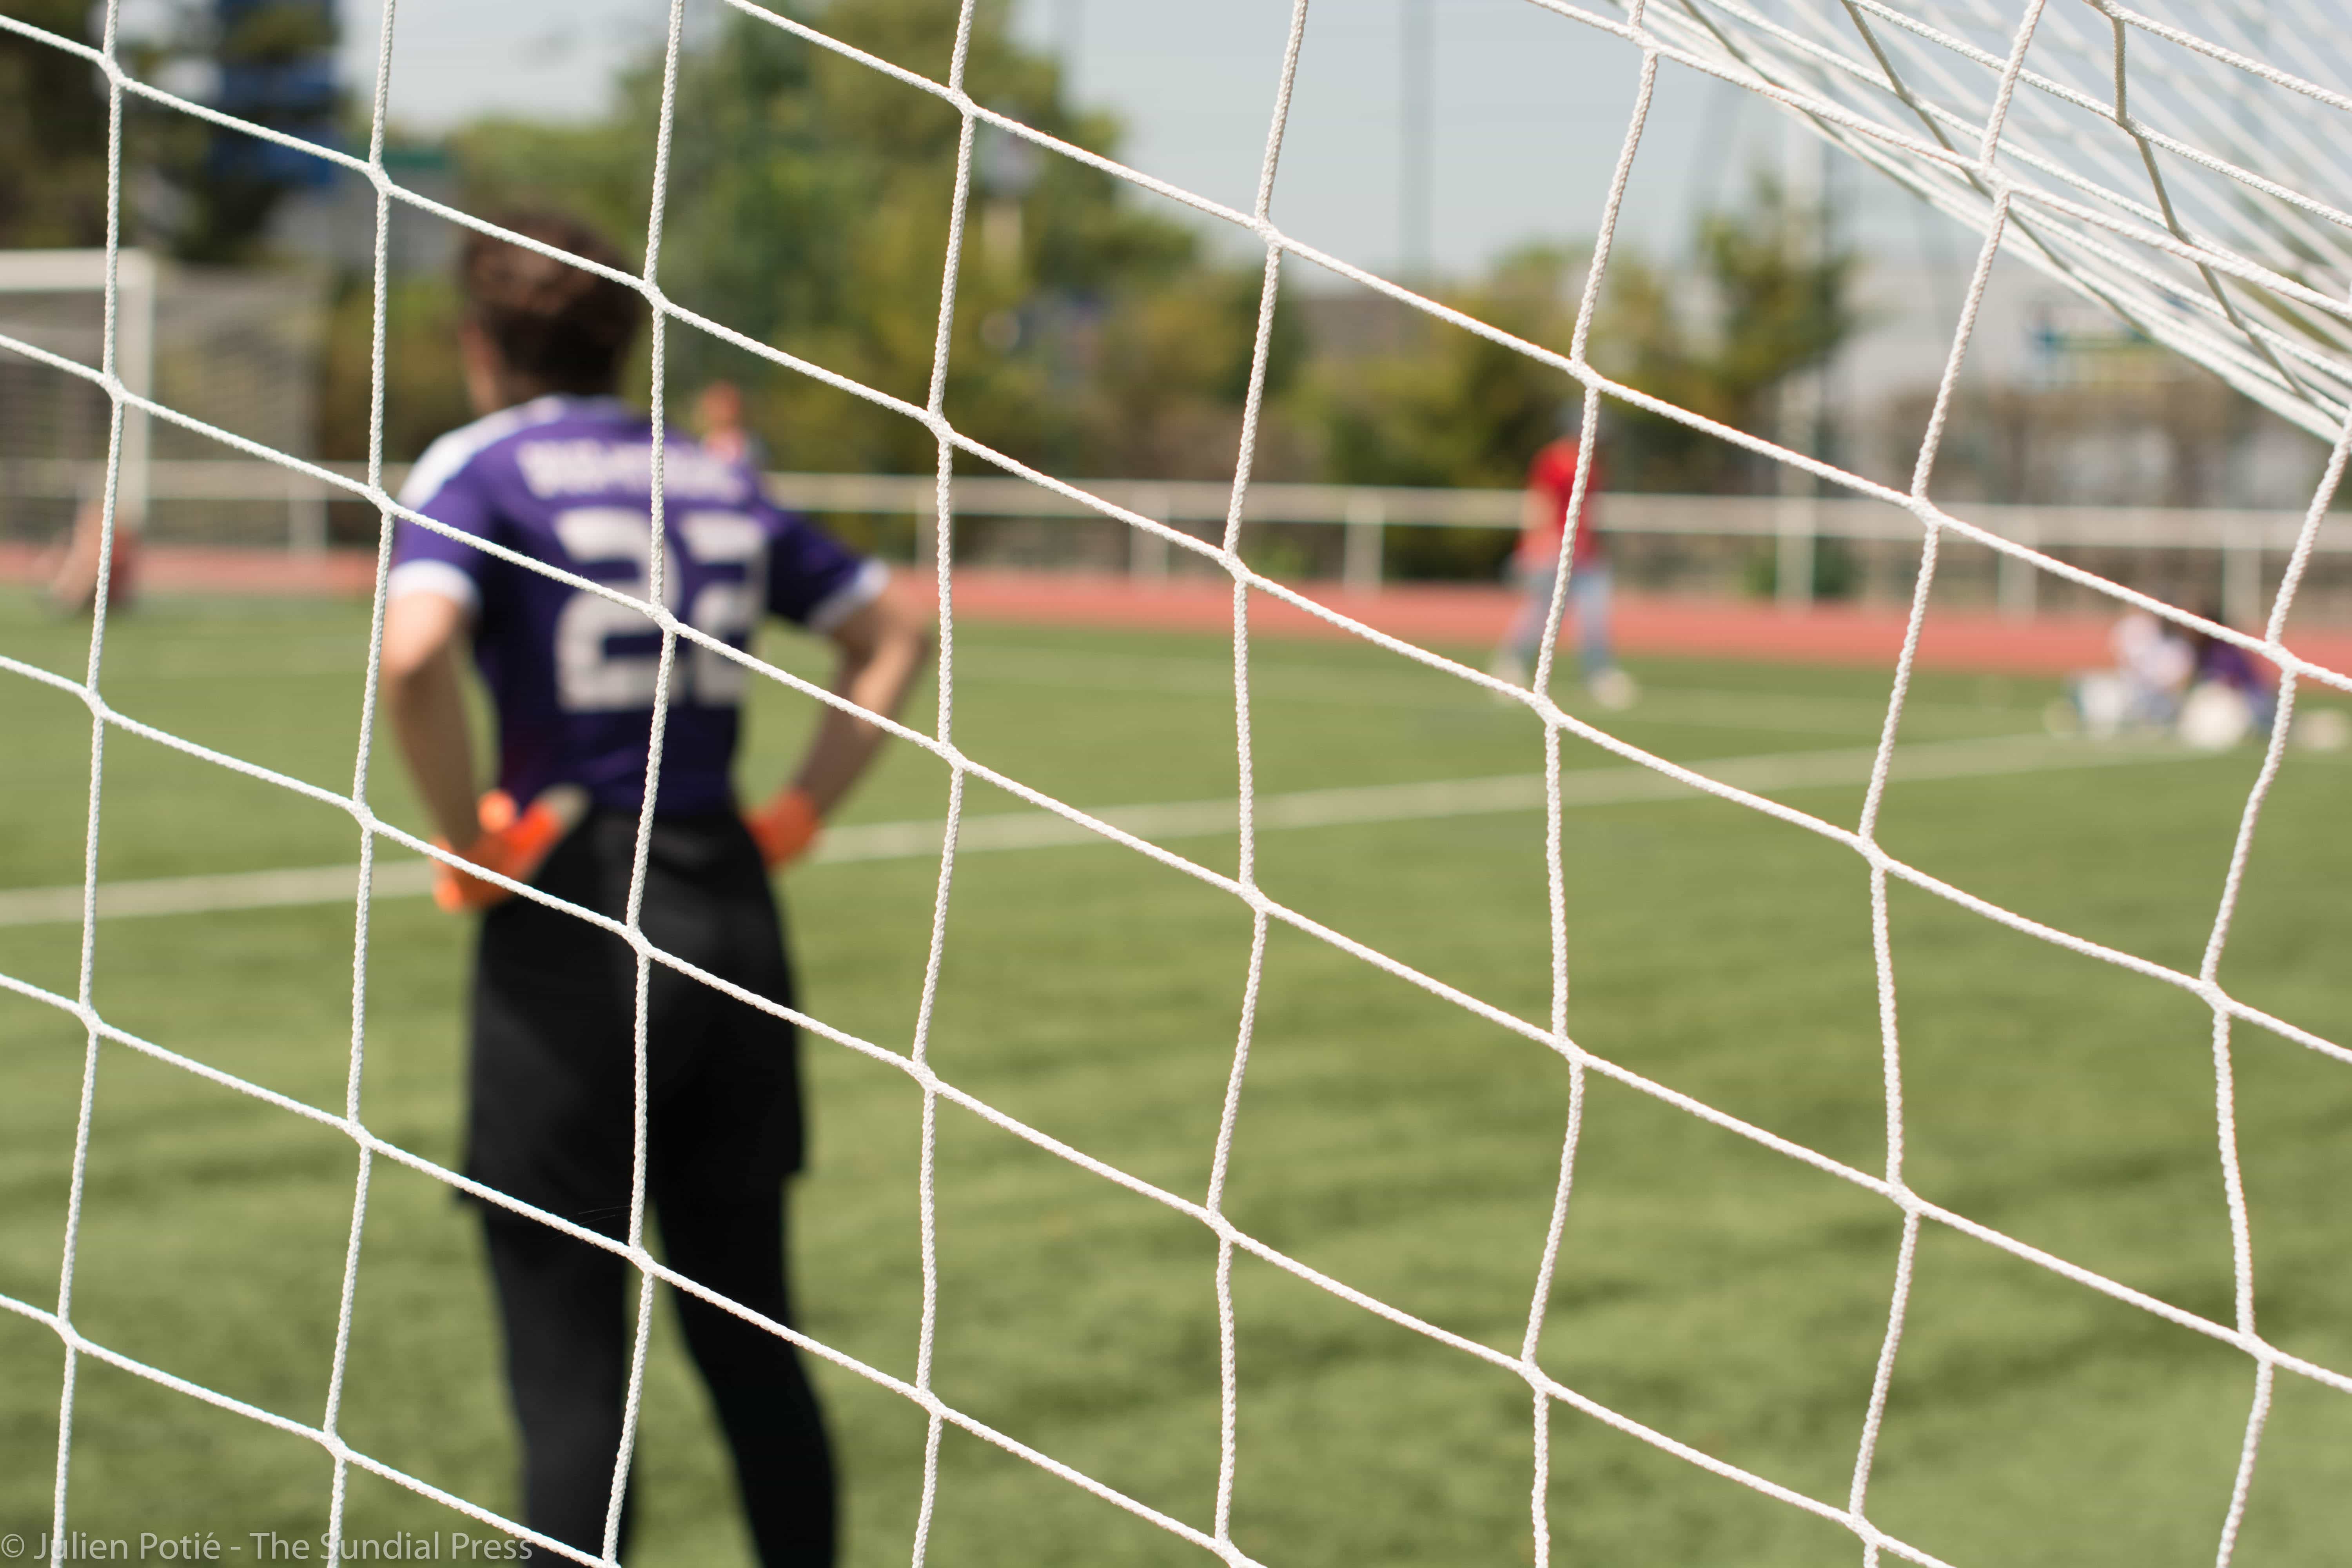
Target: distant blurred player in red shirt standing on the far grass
column 1535, row 565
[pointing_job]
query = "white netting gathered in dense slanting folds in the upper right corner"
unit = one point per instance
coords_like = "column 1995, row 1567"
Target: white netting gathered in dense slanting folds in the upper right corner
column 2163, row 163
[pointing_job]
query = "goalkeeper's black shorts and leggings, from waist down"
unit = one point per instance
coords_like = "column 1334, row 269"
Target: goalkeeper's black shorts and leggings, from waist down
column 552, row 1123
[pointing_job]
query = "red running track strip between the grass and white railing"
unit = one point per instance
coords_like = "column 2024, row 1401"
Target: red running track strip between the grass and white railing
column 1415, row 612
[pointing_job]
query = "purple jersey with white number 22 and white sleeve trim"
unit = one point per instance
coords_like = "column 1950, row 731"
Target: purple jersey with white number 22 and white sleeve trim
column 568, row 481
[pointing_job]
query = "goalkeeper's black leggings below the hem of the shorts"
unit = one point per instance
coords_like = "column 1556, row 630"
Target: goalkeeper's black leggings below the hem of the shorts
column 568, row 1367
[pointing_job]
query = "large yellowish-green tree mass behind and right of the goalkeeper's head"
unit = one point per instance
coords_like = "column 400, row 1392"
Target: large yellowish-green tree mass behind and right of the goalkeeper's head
column 808, row 210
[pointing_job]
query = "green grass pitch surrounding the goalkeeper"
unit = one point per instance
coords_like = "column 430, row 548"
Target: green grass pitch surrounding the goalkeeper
column 1709, row 1287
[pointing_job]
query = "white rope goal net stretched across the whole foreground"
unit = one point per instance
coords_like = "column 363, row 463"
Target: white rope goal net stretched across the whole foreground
column 1991, row 156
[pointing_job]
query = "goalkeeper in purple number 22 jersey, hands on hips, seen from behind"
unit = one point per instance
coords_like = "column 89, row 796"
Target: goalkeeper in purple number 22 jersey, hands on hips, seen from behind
column 561, row 471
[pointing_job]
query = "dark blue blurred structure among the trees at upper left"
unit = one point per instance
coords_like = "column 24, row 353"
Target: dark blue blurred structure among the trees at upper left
column 276, row 62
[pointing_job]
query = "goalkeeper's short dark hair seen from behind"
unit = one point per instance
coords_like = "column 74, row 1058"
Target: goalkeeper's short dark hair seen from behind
column 549, row 321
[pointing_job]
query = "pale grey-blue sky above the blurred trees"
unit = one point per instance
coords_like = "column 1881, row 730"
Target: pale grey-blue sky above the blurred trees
column 1530, row 109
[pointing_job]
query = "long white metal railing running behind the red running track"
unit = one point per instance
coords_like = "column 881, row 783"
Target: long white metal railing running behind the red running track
column 2238, row 537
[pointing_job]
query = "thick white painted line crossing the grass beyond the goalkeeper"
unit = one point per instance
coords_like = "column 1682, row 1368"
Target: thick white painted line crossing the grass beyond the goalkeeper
column 1189, row 819
